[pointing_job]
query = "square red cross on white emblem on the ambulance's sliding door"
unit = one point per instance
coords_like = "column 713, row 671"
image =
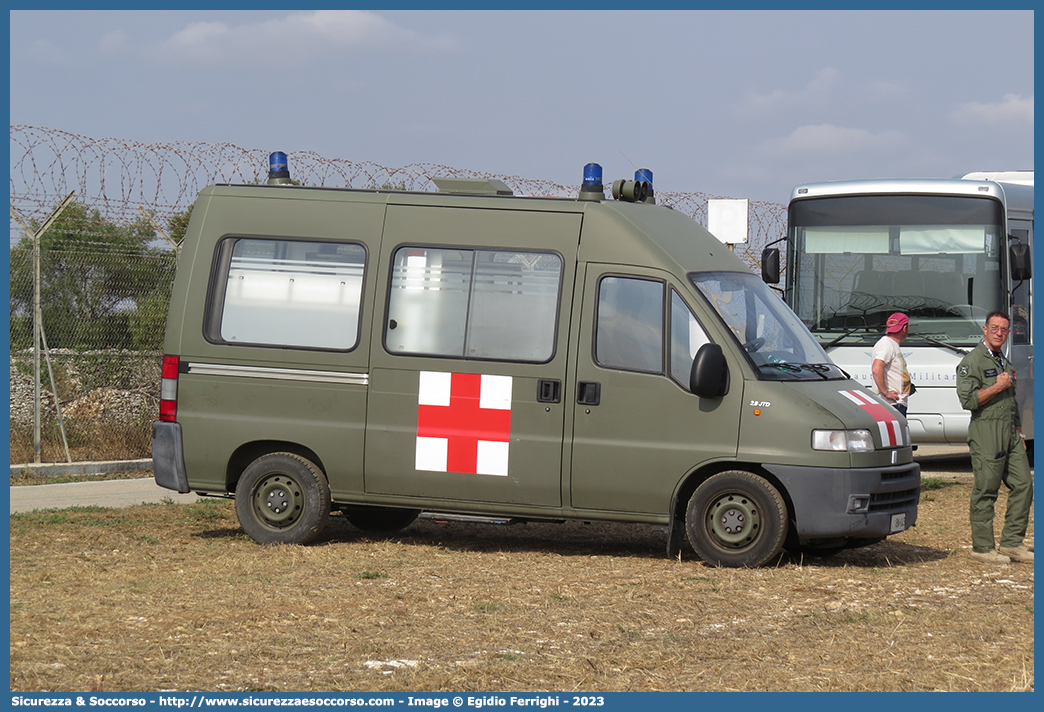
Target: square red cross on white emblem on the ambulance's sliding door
column 464, row 423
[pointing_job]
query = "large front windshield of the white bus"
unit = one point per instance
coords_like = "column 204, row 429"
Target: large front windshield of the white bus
column 857, row 259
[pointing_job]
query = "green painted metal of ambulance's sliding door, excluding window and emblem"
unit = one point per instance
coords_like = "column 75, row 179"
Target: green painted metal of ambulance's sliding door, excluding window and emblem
column 535, row 461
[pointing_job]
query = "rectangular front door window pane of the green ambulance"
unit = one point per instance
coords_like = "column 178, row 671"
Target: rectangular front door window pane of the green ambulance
column 630, row 327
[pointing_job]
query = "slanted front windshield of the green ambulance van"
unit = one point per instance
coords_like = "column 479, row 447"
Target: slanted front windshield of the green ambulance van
column 776, row 342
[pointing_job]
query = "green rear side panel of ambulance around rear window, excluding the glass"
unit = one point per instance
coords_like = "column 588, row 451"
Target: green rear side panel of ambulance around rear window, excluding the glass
column 222, row 414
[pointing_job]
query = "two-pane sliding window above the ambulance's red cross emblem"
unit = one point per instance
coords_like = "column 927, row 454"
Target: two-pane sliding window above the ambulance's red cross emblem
column 473, row 304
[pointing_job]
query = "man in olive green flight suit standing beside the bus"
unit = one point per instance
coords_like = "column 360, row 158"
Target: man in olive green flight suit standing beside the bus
column 986, row 386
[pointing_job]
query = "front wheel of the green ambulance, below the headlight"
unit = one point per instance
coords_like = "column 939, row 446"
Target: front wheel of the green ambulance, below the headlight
column 737, row 519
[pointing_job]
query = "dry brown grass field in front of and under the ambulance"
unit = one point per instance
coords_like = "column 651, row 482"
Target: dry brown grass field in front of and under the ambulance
column 176, row 598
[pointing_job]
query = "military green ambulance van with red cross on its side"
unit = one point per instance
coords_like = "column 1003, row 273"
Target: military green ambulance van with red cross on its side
column 473, row 354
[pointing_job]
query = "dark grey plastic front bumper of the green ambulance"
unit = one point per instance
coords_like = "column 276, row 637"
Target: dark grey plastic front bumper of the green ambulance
column 851, row 504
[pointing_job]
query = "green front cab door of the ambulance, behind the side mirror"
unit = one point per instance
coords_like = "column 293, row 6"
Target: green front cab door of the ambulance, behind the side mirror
column 637, row 430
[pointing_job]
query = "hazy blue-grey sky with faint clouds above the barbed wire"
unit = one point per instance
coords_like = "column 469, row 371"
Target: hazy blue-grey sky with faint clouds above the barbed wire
column 732, row 104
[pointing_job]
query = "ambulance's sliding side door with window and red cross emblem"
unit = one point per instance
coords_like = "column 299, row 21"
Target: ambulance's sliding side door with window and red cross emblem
column 466, row 398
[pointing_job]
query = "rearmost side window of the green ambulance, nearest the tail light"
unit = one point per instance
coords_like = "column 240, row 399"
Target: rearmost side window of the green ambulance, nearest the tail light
column 291, row 294
